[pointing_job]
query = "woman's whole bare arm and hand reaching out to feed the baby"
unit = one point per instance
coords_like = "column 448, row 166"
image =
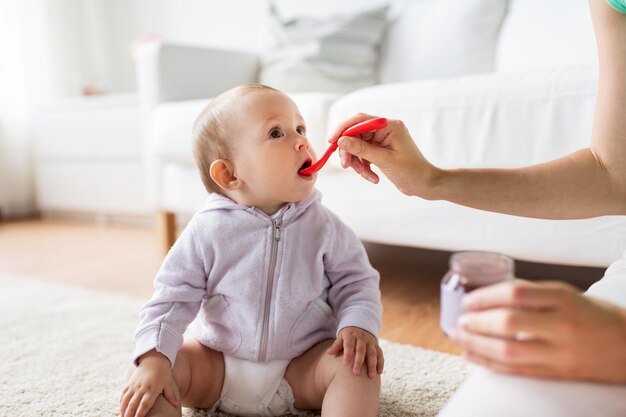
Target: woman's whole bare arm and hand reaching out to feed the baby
column 587, row 183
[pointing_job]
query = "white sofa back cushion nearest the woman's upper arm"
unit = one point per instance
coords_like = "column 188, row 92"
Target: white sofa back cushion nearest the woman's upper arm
column 546, row 33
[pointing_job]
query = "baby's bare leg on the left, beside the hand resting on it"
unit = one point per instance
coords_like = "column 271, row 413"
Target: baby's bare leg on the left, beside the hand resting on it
column 199, row 374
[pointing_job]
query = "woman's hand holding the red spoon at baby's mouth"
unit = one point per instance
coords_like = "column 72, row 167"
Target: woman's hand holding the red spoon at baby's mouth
column 392, row 150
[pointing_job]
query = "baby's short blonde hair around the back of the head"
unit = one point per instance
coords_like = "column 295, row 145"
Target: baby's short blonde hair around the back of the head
column 210, row 134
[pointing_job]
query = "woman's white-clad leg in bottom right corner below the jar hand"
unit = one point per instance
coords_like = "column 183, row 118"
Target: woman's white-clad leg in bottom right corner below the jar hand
column 486, row 393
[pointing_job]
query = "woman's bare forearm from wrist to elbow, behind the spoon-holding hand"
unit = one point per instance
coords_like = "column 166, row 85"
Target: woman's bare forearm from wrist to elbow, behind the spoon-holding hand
column 575, row 186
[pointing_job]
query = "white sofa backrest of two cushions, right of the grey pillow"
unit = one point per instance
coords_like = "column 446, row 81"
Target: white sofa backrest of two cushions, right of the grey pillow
column 443, row 38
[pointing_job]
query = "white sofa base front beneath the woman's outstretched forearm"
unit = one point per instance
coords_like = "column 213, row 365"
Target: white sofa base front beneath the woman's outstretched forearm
column 411, row 221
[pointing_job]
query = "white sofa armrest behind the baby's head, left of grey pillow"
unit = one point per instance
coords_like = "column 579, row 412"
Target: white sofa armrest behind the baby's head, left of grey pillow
column 169, row 72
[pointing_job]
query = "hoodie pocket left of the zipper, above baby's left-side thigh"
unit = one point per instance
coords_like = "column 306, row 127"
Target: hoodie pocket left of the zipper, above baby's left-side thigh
column 222, row 331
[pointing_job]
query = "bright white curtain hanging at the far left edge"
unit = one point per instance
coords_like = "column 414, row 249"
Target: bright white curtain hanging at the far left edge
column 23, row 80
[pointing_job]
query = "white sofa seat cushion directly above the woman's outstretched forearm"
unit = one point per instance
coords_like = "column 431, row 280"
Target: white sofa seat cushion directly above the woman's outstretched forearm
column 497, row 120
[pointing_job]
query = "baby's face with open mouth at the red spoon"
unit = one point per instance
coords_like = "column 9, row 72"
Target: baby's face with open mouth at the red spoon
column 269, row 146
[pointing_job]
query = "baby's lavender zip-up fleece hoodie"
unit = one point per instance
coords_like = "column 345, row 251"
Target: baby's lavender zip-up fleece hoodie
column 260, row 288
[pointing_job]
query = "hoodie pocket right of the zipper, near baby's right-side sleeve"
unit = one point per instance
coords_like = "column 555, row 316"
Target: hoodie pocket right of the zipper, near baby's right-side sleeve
column 315, row 324
